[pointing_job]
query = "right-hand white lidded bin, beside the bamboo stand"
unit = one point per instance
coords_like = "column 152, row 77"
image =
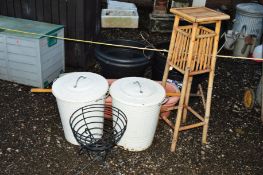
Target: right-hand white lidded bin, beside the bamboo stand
column 140, row 99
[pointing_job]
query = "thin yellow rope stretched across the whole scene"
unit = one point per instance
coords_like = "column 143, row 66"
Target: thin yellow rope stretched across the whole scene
column 118, row 45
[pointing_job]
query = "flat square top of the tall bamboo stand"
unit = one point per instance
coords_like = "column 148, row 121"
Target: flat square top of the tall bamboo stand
column 199, row 14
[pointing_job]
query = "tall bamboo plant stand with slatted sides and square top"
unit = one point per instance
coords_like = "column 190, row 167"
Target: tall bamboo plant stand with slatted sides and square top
column 192, row 51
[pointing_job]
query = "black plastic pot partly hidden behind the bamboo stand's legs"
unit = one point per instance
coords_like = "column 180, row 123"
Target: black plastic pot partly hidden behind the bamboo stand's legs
column 158, row 65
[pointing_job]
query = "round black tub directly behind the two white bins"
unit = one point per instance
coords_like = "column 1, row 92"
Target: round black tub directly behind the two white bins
column 117, row 62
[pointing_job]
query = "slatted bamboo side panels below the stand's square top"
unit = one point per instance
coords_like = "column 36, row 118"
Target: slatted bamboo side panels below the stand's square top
column 202, row 52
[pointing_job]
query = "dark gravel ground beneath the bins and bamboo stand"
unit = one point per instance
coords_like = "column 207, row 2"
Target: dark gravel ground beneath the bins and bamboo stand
column 32, row 139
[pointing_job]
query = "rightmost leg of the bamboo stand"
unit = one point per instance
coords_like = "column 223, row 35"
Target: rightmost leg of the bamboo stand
column 210, row 83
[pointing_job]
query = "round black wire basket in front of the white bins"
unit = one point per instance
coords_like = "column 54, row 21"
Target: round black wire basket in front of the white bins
column 98, row 127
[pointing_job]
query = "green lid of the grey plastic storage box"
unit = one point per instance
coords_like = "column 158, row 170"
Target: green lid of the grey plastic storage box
column 27, row 26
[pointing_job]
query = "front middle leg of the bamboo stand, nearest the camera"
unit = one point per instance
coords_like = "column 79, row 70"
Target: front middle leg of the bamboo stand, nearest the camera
column 185, row 83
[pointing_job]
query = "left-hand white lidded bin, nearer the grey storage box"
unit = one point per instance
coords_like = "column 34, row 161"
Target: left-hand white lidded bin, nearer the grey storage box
column 76, row 90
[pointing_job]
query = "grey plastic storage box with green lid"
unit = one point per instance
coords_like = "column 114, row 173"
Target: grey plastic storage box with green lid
column 28, row 59
